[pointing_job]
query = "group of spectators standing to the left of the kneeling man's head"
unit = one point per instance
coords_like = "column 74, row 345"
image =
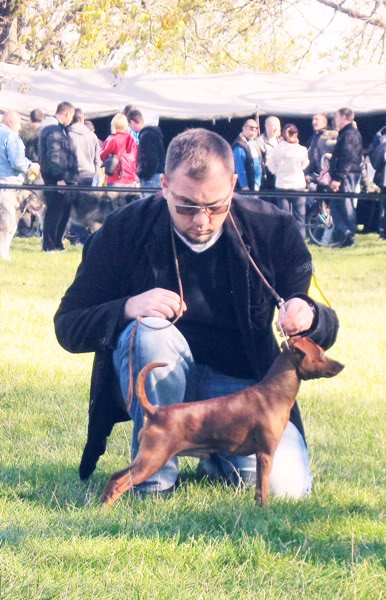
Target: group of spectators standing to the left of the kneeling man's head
column 63, row 151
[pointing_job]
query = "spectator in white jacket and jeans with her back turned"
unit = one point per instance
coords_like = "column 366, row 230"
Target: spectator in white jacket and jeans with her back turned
column 287, row 162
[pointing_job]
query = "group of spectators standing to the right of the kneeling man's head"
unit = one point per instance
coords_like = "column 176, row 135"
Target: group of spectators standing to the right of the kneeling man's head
column 333, row 160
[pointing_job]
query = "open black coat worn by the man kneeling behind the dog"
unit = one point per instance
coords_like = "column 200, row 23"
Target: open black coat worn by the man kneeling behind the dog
column 128, row 256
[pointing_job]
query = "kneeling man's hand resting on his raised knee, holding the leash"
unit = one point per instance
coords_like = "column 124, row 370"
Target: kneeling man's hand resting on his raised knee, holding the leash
column 154, row 303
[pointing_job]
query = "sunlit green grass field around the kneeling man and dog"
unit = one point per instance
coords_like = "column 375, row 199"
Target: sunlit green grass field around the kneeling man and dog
column 207, row 541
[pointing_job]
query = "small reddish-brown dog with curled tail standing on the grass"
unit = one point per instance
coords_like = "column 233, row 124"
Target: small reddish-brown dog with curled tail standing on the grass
column 249, row 421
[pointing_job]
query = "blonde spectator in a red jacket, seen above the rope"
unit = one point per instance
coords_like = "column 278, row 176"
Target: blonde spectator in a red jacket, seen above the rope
column 120, row 143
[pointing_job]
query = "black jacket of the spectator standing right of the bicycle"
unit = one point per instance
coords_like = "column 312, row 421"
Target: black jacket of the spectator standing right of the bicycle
column 347, row 155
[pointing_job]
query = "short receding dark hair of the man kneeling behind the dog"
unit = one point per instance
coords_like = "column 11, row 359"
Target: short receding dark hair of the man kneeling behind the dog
column 196, row 148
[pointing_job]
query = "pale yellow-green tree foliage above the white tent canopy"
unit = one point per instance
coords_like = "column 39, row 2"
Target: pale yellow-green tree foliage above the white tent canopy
column 182, row 36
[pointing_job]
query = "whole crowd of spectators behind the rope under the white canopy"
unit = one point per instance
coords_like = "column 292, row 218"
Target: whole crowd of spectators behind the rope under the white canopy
column 64, row 151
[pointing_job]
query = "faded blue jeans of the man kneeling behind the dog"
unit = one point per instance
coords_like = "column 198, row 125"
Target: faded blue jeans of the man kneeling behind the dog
column 183, row 381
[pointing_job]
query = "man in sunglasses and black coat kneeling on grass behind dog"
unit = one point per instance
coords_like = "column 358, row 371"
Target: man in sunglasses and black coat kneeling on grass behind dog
column 223, row 341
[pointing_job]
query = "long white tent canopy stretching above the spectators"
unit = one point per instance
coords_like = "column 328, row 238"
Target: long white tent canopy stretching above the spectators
column 99, row 93
